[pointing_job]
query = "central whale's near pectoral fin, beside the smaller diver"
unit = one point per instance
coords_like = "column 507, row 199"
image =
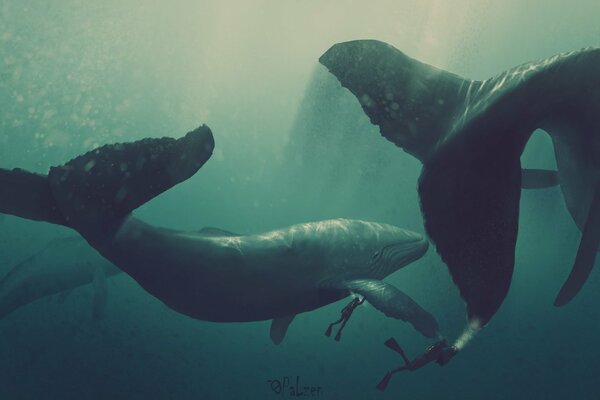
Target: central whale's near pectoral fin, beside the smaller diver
column 396, row 304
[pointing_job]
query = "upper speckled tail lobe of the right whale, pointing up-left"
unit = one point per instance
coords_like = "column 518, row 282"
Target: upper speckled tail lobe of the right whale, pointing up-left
column 411, row 102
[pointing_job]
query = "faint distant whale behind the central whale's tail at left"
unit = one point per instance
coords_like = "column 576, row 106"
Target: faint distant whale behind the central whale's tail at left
column 61, row 266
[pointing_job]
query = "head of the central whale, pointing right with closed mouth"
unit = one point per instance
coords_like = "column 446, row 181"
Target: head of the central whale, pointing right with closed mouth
column 361, row 249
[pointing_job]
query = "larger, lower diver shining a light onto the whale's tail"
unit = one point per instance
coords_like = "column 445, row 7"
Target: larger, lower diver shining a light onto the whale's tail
column 440, row 352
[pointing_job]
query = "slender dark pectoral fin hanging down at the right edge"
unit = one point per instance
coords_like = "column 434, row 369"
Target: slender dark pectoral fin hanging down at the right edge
column 586, row 254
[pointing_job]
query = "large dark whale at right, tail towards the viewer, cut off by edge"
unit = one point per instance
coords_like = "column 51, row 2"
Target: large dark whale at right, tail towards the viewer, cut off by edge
column 469, row 135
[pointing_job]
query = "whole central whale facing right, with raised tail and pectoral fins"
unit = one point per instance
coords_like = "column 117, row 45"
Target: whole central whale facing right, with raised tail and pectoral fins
column 212, row 274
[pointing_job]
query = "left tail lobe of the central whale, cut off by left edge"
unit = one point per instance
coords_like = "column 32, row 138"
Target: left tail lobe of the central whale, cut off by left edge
column 28, row 195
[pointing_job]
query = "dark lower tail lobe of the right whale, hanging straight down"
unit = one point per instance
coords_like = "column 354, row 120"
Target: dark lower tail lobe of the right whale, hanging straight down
column 470, row 195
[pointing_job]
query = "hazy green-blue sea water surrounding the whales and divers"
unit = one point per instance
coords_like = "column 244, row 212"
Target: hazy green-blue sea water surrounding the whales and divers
column 291, row 146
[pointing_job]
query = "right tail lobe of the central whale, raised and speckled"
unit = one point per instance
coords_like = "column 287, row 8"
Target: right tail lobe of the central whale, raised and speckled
column 97, row 190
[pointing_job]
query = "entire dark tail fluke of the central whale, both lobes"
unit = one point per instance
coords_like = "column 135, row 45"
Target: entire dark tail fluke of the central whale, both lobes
column 94, row 192
